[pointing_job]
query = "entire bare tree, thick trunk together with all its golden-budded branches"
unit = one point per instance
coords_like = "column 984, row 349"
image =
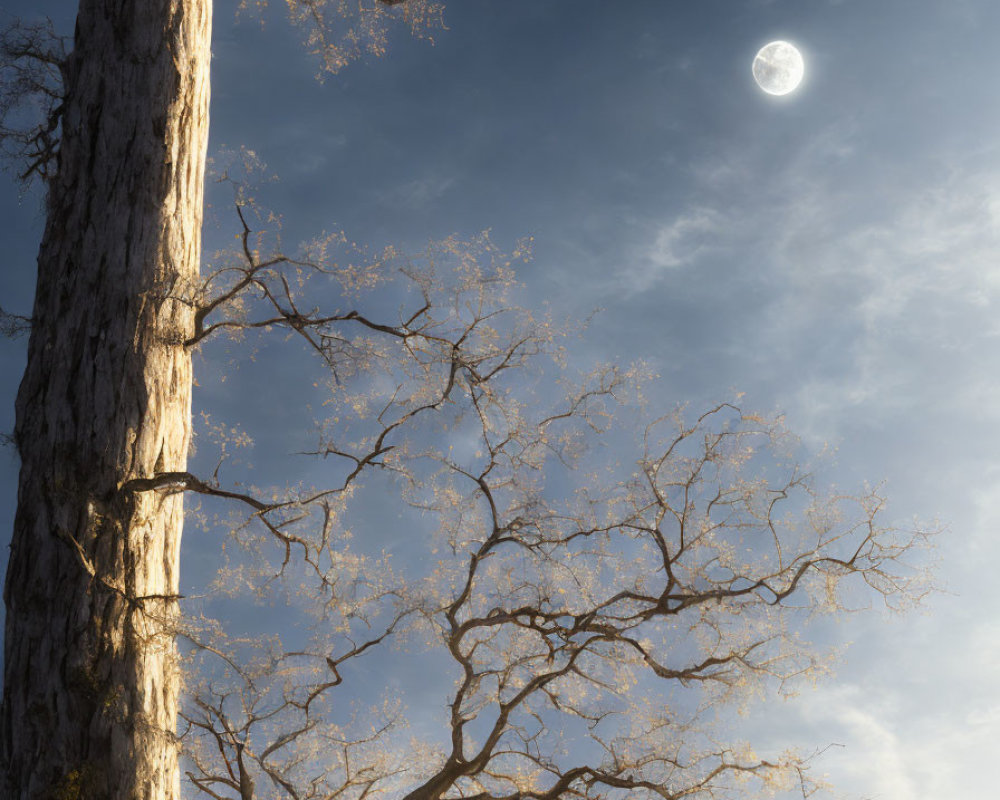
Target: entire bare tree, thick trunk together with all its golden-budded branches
column 589, row 616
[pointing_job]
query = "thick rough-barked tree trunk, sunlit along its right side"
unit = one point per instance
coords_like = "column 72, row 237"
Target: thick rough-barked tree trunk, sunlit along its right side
column 90, row 684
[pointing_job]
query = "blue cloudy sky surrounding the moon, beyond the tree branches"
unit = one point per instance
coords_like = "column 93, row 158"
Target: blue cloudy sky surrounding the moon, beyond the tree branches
column 833, row 254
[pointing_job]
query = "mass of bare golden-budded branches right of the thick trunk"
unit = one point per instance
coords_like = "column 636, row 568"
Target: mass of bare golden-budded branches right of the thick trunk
column 593, row 618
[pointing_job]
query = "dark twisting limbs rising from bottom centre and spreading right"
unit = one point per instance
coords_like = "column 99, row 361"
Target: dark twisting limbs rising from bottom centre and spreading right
column 691, row 543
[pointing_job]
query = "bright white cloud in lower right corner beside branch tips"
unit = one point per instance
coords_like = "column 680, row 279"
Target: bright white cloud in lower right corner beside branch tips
column 915, row 716
